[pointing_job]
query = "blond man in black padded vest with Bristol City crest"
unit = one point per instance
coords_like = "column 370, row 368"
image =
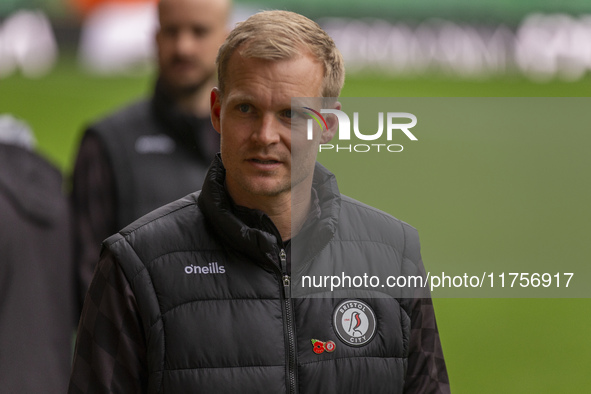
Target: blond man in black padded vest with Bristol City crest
column 203, row 290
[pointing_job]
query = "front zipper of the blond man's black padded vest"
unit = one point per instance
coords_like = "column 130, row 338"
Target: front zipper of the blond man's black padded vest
column 290, row 327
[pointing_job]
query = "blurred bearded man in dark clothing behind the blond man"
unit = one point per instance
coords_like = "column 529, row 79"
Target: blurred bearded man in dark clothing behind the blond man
column 157, row 149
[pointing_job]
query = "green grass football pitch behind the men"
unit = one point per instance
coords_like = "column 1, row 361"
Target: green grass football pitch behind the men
column 485, row 201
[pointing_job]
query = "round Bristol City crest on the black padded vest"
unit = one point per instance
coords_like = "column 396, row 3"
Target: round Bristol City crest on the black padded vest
column 354, row 322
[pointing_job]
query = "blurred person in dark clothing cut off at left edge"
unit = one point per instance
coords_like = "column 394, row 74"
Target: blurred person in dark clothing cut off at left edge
column 37, row 292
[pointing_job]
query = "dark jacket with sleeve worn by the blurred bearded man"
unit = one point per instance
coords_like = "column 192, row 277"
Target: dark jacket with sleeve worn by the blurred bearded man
column 143, row 156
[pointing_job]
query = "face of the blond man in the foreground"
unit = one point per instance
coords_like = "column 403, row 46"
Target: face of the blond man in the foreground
column 254, row 120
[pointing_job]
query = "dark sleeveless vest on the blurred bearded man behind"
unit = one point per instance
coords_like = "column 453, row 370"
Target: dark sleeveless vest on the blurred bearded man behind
column 157, row 155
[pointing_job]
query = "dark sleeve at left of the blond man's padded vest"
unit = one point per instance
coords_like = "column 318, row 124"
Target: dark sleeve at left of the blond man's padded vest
column 110, row 354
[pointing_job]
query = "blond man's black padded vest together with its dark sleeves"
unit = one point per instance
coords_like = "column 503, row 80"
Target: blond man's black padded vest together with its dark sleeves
column 197, row 297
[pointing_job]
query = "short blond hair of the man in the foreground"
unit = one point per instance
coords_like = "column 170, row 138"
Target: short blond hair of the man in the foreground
column 278, row 35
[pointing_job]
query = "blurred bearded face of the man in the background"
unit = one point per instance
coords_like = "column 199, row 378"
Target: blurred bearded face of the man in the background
column 191, row 31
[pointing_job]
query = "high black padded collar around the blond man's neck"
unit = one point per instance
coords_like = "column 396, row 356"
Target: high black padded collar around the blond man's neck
column 253, row 233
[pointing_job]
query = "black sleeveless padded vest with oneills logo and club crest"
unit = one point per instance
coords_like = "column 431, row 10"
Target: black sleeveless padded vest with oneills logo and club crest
column 223, row 313
